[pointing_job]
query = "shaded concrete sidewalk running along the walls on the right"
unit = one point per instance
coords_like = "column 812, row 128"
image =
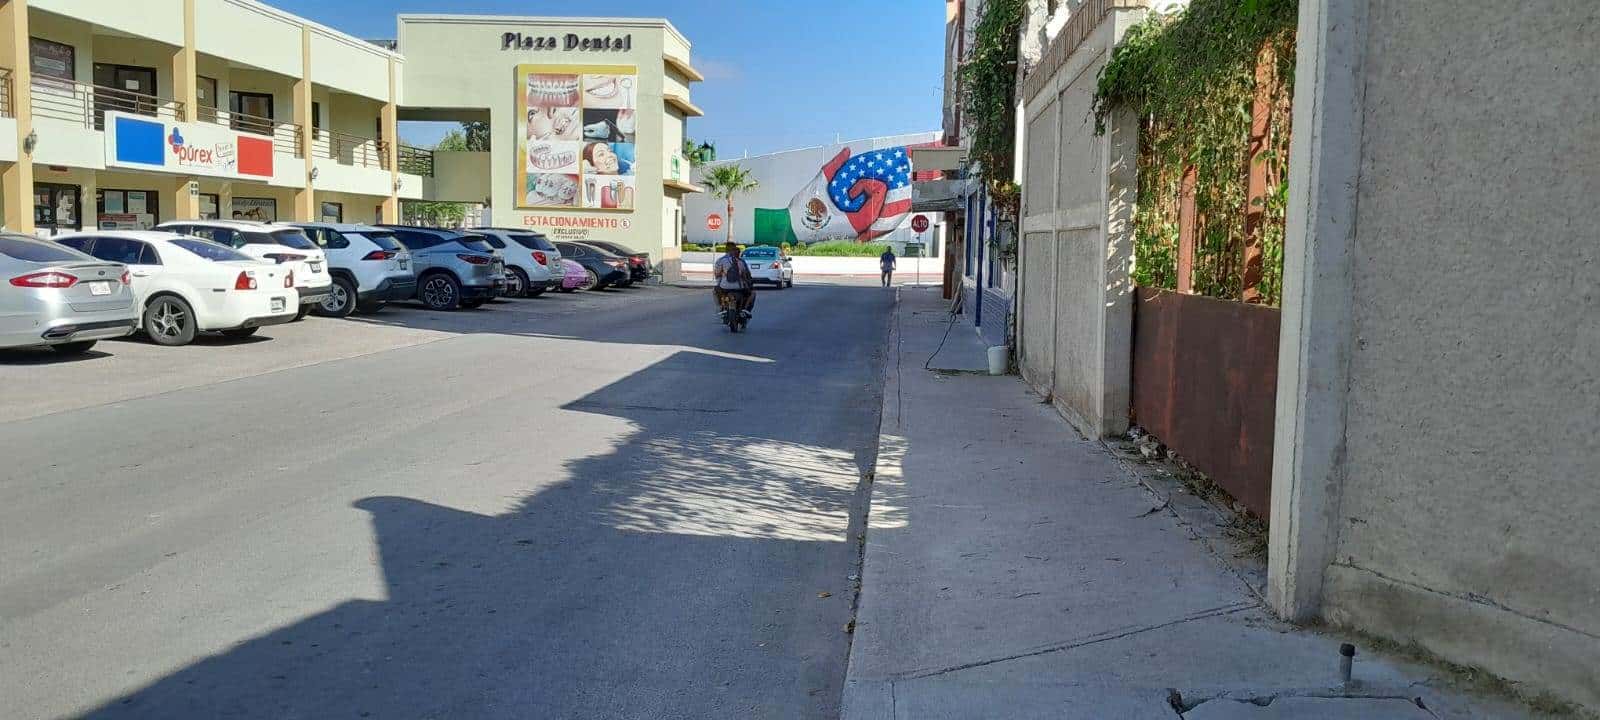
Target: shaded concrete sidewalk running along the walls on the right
column 1017, row 570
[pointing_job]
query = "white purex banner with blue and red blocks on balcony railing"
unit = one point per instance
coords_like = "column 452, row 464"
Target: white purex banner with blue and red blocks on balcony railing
column 143, row 143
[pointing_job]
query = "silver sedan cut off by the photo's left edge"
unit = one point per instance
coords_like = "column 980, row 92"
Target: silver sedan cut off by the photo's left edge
column 60, row 298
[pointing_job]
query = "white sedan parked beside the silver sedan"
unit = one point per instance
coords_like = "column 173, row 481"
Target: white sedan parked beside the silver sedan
column 186, row 286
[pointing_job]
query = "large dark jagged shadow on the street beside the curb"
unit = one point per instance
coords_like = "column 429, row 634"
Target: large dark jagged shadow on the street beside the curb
column 695, row 569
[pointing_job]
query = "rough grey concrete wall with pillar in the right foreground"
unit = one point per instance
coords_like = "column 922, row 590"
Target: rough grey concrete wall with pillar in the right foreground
column 1439, row 401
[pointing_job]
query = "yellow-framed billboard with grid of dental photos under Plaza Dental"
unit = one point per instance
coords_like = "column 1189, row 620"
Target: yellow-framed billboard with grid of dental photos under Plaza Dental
column 575, row 137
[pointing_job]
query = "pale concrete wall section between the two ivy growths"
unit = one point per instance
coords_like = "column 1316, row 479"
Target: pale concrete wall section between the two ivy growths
column 1076, row 295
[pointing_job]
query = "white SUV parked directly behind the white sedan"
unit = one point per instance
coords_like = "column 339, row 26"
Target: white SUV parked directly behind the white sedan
column 284, row 246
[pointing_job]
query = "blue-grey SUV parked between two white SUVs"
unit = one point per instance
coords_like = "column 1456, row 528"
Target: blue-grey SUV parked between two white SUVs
column 454, row 270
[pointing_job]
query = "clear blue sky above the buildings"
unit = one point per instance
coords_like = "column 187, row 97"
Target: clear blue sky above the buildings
column 780, row 74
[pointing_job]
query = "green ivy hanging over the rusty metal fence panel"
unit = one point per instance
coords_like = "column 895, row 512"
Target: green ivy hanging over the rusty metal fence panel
column 1191, row 78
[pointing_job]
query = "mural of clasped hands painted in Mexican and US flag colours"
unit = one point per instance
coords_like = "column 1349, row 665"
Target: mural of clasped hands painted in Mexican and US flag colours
column 854, row 198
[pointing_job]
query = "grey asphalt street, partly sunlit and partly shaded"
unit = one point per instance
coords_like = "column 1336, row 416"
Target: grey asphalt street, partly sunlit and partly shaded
column 594, row 506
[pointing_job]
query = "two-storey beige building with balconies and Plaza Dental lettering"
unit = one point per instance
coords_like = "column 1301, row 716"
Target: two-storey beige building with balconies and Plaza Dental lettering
column 132, row 114
